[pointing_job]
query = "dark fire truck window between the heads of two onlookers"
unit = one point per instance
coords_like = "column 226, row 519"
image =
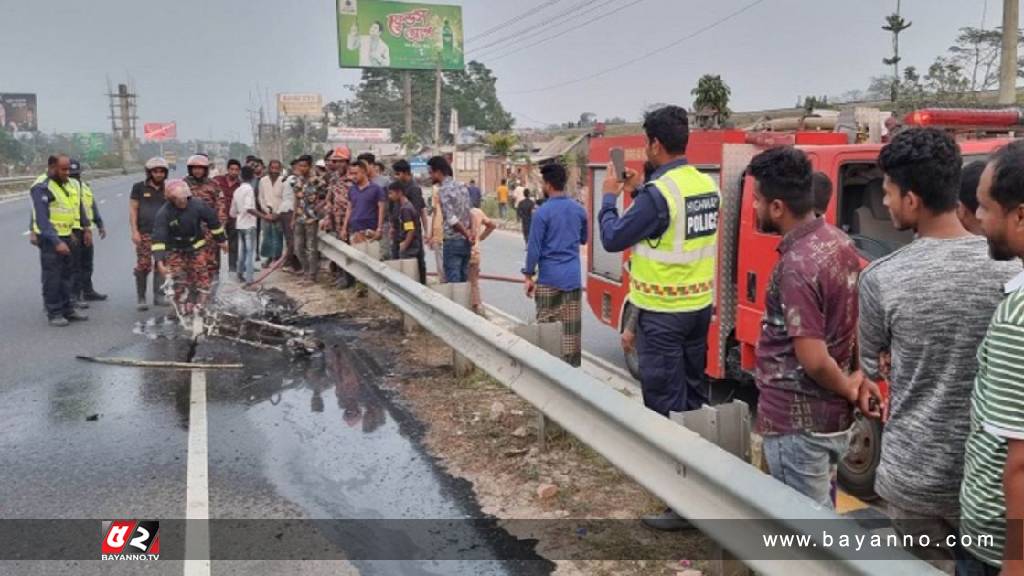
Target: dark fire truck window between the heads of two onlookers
column 864, row 215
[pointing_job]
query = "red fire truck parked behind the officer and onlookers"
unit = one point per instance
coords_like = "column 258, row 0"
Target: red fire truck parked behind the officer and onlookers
column 748, row 257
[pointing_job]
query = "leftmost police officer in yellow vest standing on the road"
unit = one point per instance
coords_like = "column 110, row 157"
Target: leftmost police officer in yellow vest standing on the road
column 56, row 213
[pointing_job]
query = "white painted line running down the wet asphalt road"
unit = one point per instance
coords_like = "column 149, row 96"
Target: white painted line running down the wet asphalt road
column 197, row 483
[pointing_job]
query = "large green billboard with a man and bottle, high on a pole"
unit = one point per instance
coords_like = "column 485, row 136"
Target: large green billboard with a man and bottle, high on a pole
column 400, row 35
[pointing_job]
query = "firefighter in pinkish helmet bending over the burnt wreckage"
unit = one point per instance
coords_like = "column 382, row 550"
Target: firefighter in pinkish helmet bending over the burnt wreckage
column 180, row 244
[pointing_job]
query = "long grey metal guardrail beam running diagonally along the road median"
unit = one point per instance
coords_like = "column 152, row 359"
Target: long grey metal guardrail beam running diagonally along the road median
column 727, row 499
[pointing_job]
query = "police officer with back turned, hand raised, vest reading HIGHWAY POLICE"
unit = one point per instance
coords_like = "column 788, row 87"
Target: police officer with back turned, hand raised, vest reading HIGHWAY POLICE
column 672, row 228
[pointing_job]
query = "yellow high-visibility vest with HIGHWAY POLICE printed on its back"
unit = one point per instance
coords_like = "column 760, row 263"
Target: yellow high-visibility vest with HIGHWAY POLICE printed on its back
column 676, row 272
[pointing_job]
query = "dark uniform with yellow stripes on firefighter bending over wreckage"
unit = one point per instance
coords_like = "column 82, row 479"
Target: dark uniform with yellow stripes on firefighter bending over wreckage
column 180, row 240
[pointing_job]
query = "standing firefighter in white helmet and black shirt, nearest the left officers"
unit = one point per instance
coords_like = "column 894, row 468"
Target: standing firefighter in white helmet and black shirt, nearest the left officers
column 146, row 200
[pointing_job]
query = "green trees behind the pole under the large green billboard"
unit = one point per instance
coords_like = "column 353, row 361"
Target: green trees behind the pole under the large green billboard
column 378, row 102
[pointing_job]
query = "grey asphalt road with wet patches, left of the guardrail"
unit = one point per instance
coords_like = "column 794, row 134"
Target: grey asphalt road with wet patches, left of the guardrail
column 280, row 440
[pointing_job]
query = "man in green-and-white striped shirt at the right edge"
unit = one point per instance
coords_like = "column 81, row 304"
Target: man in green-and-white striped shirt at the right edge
column 993, row 492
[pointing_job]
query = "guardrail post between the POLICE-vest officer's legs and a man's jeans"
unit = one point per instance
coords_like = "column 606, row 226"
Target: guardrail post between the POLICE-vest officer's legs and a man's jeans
column 729, row 427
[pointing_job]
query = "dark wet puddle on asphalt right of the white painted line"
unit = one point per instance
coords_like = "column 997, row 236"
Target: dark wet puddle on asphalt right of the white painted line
column 319, row 440
